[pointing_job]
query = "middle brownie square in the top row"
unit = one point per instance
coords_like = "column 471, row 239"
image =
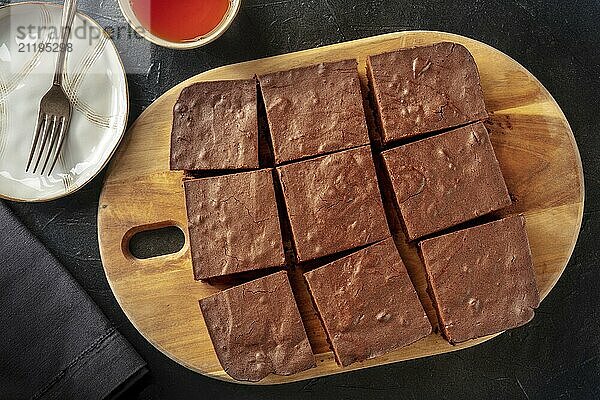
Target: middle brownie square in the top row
column 314, row 110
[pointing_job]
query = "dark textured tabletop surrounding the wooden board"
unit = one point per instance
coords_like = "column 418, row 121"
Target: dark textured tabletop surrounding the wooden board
column 557, row 355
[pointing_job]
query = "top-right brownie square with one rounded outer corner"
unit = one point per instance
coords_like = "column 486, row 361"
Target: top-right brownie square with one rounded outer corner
column 425, row 89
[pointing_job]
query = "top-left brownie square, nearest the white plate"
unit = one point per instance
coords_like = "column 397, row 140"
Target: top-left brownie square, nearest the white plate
column 215, row 126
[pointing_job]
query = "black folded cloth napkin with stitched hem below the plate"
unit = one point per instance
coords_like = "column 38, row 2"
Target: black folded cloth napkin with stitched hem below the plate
column 54, row 341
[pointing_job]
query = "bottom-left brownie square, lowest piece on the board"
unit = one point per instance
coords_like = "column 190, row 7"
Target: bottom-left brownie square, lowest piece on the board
column 256, row 329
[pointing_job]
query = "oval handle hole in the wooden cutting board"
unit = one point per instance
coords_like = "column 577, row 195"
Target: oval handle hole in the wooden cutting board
column 152, row 241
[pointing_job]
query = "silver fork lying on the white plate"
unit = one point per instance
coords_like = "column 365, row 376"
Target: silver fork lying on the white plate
column 55, row 112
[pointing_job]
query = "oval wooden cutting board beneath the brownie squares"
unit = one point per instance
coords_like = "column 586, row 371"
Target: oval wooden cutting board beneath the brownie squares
column 531, row 137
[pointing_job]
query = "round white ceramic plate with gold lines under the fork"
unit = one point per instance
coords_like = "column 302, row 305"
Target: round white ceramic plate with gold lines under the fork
column 94, row 80
